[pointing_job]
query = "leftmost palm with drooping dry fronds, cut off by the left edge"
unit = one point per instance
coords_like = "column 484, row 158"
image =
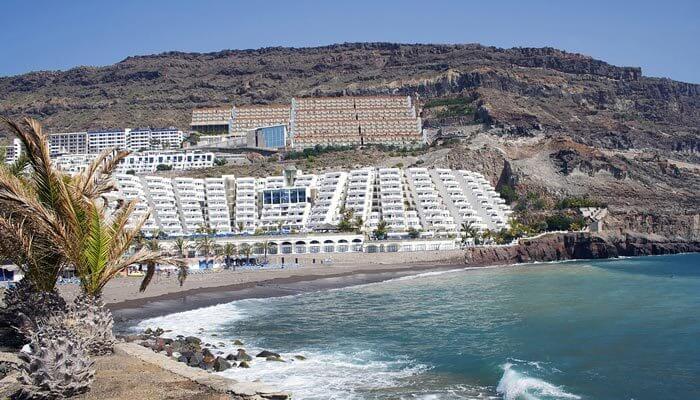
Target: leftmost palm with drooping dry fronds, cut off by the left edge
column 33, row 204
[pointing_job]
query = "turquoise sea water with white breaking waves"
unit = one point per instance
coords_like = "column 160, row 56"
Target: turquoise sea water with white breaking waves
column 614, row 329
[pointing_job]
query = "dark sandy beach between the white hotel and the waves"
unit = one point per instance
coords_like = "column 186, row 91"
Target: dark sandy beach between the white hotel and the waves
column 165, row 296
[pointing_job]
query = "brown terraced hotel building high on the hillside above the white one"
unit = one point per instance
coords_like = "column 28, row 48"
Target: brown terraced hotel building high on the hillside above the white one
column 312, row 121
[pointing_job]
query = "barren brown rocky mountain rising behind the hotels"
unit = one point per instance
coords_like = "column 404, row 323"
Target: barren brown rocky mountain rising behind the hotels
column 564, row 123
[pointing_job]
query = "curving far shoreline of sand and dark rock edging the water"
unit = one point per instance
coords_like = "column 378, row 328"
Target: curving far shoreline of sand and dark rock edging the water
column 166, row 297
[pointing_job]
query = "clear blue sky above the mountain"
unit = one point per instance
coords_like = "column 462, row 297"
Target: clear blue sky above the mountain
column 662, row 37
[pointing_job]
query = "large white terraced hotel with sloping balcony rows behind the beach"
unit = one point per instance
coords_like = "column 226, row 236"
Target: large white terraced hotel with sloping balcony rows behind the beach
column 434, row 202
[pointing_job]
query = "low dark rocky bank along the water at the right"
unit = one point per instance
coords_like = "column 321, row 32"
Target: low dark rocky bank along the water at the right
column 570, row 246
